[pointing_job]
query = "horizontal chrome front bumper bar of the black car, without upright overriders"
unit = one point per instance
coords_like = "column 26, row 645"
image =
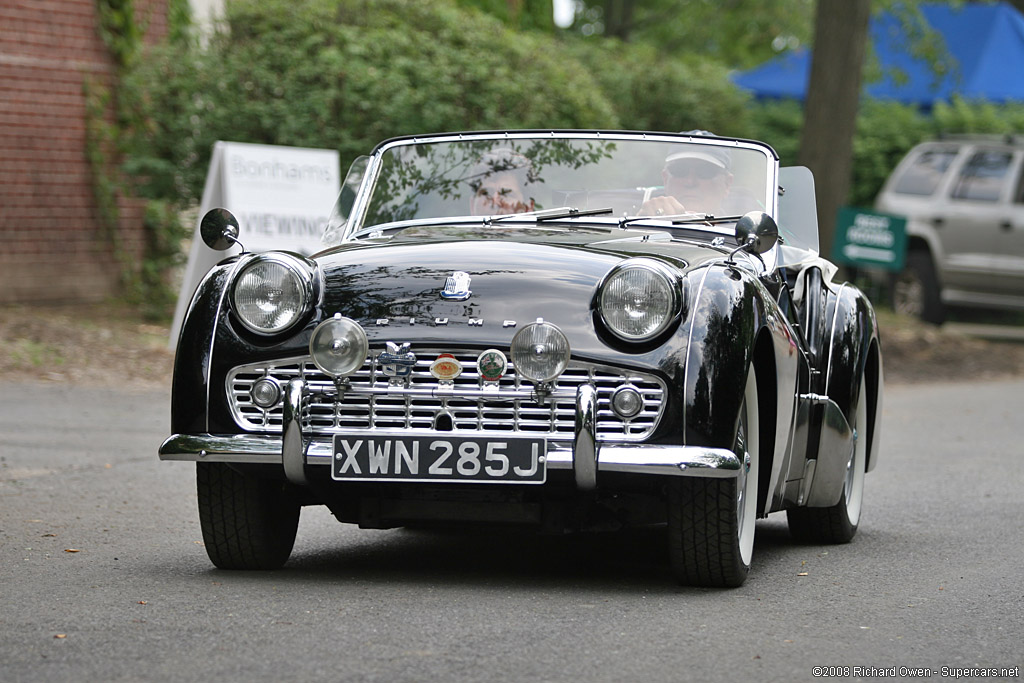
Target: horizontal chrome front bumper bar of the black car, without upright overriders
column 639, row 459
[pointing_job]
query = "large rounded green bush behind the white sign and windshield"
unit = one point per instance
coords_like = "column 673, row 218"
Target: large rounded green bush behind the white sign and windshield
column 353, row 74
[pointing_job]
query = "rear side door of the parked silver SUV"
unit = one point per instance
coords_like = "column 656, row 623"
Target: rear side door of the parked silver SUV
column 969, row 228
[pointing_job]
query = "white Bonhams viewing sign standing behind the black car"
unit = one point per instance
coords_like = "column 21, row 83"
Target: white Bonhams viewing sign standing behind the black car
column 281, row 196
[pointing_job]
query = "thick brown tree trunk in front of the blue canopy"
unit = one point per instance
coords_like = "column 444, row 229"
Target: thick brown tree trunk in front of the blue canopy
column 831, row 107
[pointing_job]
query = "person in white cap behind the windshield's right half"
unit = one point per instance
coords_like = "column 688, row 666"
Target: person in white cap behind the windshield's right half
column 696, row 181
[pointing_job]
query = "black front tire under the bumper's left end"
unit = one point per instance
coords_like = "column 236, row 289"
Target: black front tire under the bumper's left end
column 248, row 523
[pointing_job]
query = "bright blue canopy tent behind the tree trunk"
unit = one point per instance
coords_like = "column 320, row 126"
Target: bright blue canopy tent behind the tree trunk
column 987, row 44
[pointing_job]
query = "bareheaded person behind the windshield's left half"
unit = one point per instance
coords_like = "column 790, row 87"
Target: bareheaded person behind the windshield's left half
column 498, row 182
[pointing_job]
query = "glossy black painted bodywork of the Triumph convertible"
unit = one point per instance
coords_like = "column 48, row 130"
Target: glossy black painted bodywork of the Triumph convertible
column 522, row 275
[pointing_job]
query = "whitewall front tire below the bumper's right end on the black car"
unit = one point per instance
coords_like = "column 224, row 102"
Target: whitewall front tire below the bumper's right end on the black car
column 711, row 522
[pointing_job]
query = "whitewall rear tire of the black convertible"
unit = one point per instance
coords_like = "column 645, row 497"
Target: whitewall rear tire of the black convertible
column 839, row 524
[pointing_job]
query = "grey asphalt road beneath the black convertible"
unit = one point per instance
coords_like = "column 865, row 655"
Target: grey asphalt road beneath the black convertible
column 104, row 578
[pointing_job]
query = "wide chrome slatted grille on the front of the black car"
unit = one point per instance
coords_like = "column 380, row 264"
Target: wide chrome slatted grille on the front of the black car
column 371, row 404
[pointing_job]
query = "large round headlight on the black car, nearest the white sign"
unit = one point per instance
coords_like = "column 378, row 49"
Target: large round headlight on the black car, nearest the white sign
column 271, row 295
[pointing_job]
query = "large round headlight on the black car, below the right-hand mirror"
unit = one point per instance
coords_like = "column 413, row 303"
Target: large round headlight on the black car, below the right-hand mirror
column 639, row 301
